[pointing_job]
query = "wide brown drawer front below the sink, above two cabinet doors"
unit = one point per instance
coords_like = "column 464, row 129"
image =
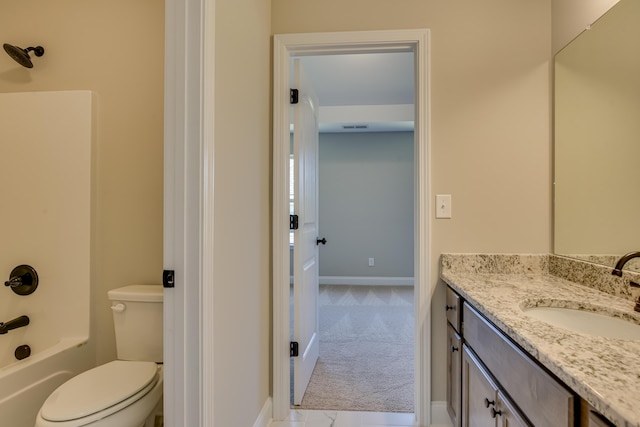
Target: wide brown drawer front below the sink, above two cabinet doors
column 544, row 400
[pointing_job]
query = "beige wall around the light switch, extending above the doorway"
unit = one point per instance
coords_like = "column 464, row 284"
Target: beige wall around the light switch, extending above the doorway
column 490, row 114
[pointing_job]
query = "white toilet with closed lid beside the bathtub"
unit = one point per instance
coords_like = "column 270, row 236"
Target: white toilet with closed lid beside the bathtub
column 126, row 392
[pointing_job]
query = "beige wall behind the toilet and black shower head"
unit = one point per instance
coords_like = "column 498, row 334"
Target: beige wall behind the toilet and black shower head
column 116, row 50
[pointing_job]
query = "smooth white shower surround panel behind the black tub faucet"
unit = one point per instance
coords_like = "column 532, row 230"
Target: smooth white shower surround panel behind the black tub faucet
column 46, row 204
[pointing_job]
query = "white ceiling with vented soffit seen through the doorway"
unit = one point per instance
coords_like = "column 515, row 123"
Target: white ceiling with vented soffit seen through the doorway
column 365, row 92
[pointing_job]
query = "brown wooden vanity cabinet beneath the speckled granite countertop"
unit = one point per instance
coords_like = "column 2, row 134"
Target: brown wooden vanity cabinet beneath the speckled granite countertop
column 492, row 382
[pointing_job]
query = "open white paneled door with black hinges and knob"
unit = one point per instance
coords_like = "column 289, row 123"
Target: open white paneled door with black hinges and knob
column 305, row 249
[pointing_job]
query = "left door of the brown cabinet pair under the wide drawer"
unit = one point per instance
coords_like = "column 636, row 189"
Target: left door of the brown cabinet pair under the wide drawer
column 479, row 393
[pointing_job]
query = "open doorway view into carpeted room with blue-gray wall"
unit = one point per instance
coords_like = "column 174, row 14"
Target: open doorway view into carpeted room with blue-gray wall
column 365, row 219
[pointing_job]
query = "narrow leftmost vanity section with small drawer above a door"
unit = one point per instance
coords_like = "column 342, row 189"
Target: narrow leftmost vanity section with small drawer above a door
column 454, row 356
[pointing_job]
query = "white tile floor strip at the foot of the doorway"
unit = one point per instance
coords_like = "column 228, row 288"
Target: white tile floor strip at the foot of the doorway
column 308, row 418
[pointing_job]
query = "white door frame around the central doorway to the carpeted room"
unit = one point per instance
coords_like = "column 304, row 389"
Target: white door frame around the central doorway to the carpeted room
column 284, row 47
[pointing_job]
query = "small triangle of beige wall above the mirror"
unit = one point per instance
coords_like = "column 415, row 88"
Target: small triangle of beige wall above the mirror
column 571, row 17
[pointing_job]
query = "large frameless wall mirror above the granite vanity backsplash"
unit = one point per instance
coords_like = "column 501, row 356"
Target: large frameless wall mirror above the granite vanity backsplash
column 597, row 140
